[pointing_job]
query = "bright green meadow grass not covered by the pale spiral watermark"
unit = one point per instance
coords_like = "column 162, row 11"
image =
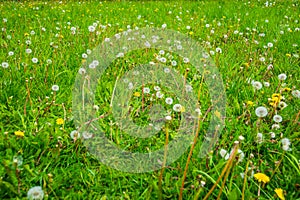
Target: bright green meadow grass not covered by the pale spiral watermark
column 64, row 167
